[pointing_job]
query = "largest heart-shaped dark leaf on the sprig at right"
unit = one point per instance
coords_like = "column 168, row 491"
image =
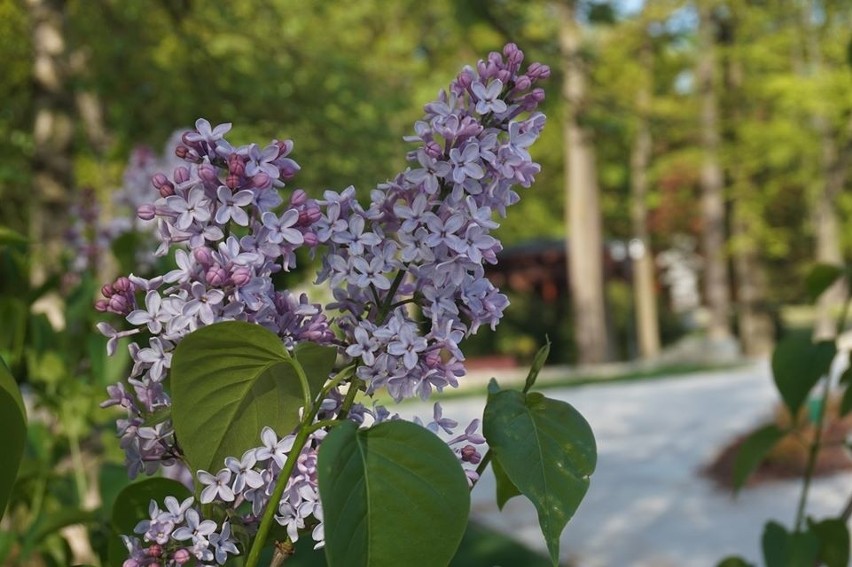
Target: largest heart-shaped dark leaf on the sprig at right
column 797, row 365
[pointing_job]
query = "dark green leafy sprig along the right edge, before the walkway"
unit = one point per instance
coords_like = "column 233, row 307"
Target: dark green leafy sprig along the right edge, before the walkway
column 801, row 369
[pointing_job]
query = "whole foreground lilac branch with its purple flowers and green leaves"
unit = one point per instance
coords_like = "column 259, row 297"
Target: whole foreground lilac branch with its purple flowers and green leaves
column 263, row 403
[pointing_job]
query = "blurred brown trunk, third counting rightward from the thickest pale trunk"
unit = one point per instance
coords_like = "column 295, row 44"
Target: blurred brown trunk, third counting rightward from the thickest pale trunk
column 712, row 186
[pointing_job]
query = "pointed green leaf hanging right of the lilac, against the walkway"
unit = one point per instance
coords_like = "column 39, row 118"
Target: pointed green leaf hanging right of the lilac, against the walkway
column 547, row 450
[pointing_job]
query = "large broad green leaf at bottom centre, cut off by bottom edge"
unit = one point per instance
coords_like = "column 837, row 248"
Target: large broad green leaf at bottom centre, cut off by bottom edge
column 394, row 494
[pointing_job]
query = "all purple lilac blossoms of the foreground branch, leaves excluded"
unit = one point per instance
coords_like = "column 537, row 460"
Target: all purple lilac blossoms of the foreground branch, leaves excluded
column 405, row 273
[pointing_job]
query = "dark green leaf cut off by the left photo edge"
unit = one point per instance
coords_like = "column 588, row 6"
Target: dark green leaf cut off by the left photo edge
column 13, row 433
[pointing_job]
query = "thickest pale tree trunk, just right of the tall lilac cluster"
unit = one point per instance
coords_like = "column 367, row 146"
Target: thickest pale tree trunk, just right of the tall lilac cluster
column 583, row 217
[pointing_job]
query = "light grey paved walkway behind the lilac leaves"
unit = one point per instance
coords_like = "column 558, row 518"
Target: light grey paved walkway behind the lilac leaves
column 647, row 505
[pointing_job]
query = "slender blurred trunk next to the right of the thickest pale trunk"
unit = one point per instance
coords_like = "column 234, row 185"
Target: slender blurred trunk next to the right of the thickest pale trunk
column 647, row 323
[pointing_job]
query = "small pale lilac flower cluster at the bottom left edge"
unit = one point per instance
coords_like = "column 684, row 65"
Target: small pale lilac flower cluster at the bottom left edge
column 177, row 536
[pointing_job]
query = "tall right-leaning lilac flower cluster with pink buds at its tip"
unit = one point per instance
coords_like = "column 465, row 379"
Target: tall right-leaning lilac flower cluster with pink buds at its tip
column 424, row 237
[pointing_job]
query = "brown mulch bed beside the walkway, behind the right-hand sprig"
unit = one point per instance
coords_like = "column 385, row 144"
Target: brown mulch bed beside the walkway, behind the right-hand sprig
column 788, row 459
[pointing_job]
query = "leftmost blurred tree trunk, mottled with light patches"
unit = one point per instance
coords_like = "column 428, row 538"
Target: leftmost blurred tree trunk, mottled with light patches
column 52, row 136
